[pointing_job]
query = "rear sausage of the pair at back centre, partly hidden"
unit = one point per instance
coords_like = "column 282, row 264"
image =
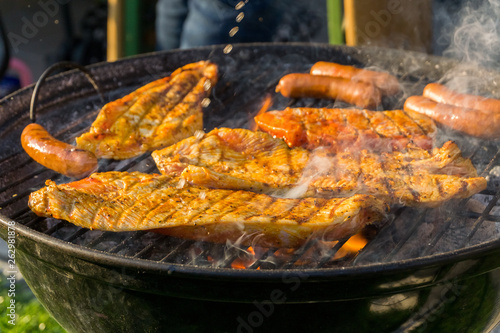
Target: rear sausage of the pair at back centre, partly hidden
column 387, row 83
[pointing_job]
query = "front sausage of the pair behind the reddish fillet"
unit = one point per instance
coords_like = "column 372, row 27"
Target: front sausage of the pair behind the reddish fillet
column 362, row 94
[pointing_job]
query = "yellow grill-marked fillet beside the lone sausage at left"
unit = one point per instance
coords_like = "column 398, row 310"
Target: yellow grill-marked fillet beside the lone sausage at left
column 154, row 116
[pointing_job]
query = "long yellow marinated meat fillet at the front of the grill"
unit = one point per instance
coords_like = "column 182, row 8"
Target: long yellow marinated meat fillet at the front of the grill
column 120, row 201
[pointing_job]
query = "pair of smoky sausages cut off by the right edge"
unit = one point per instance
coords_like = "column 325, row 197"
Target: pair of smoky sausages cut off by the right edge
column 470, row 114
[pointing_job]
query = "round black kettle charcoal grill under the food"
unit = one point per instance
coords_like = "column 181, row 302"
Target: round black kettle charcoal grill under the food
column 420, row 272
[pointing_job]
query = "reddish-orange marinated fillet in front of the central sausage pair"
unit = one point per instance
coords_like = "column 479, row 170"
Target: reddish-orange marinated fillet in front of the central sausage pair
column 341, row 130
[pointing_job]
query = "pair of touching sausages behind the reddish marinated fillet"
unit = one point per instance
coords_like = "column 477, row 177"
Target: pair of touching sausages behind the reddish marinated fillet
column 363, row 88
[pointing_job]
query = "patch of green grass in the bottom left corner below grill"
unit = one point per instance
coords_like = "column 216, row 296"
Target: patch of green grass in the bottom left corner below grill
column 30, row 315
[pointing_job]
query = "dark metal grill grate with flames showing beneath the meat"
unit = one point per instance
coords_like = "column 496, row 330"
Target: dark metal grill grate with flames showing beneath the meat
column 442, row 230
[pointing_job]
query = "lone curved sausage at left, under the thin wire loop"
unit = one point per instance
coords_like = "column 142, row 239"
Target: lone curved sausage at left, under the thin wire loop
column 57, row 155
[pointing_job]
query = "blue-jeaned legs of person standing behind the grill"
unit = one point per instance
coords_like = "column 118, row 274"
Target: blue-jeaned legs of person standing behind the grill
column 192, row 23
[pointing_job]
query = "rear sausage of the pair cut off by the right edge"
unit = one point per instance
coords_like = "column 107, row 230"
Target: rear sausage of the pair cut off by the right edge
column 441, row 94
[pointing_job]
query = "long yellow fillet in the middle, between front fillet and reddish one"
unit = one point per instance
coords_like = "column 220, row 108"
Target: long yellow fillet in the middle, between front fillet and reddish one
column 255, row 161
